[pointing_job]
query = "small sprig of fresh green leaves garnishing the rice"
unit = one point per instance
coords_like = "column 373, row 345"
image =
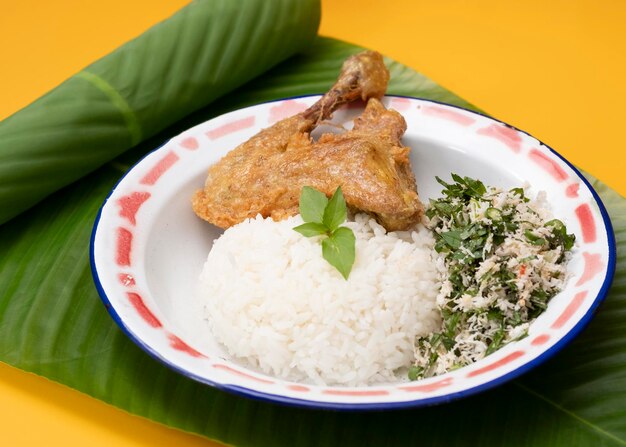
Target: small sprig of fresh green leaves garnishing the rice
column 323, row 217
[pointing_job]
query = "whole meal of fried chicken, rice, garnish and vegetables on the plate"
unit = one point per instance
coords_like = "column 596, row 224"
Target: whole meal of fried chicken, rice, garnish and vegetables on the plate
column 404, row 293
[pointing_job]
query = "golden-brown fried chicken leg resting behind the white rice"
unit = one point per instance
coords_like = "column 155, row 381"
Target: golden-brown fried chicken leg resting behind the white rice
column 265, row 174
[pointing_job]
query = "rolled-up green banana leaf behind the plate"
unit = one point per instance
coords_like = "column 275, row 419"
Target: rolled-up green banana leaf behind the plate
column 204, row 51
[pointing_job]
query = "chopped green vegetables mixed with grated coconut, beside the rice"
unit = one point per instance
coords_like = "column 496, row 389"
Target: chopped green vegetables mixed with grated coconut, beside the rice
column 502, row 257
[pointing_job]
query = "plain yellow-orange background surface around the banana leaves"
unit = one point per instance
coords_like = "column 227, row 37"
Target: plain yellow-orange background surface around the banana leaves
column 555, row 69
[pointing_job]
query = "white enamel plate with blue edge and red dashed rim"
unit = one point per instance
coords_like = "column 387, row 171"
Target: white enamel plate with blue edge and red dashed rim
column 148, row 248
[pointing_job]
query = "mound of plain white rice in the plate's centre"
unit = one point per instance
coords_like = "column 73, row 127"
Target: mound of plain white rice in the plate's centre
column 279, row 307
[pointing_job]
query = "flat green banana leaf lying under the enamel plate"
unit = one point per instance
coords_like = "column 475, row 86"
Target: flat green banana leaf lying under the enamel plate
column 52, row 323
